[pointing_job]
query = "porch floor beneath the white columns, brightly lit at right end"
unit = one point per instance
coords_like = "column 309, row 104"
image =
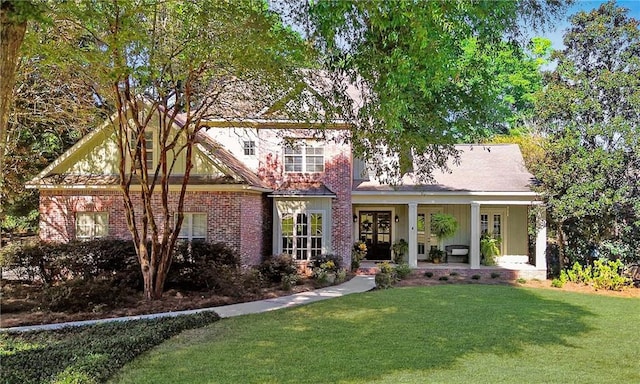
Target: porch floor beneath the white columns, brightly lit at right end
column 508, row 270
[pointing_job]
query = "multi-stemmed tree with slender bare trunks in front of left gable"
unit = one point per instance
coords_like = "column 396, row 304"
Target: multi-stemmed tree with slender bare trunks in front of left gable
column 162, row 68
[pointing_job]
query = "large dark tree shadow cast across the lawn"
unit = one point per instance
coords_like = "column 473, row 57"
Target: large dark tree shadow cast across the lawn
column 363, row 337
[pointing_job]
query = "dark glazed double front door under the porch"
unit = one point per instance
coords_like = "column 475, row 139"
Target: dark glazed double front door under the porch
column 375, row 231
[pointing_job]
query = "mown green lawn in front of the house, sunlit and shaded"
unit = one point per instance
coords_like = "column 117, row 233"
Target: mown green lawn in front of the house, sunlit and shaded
column 447, row 333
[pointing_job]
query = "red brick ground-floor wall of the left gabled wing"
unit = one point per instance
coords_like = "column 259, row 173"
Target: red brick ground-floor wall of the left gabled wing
column 234, row 218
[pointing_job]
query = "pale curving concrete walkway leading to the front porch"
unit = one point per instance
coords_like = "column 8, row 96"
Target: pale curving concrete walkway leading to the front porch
column 356, row 285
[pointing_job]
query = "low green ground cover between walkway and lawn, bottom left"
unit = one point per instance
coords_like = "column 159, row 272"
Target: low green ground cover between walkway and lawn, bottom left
column 87, row 354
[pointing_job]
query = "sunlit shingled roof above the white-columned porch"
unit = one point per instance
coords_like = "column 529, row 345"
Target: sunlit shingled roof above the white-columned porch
column 482, row 168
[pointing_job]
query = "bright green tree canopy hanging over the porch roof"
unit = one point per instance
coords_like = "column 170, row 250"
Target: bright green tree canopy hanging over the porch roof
column 425, row 72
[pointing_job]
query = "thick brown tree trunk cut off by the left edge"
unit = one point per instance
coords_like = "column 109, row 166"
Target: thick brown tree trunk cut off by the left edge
column 11, row 36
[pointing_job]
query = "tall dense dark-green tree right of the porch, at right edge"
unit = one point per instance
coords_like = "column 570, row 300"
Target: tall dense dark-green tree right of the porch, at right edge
column 590, row 110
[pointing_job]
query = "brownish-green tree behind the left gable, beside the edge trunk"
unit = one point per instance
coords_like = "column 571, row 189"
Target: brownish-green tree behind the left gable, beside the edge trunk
column 52, row 110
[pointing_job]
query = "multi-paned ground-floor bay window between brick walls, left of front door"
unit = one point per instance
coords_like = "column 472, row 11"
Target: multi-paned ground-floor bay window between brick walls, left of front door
column 302, row 234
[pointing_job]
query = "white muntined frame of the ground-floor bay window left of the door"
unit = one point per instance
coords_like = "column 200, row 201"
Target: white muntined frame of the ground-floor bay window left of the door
column 307, row 252
